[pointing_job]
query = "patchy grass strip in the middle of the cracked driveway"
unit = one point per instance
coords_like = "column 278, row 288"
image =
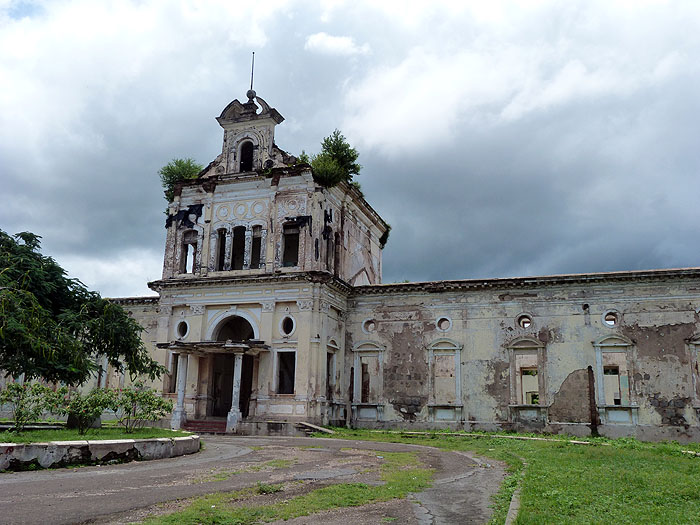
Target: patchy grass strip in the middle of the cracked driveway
column 401, row 472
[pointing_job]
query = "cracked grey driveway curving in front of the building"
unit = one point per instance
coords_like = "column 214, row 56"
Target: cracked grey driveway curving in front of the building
column 129, row 492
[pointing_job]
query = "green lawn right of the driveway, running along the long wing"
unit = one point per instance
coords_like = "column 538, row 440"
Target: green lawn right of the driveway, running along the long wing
column 609, row 481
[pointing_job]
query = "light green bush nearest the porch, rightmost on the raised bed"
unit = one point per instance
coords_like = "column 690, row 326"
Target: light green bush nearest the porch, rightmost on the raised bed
column 138, row 405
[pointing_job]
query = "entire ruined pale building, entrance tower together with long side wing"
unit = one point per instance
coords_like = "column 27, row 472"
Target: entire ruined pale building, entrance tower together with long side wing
column 271, row 309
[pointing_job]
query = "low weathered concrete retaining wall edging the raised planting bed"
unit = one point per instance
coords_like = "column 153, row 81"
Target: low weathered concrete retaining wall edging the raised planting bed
column 19, row 456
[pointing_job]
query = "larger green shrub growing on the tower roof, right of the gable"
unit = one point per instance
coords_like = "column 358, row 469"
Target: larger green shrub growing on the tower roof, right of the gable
column 337, row 161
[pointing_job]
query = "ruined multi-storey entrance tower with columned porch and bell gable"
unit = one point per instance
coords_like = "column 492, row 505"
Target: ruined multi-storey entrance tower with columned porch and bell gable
column 259, row 261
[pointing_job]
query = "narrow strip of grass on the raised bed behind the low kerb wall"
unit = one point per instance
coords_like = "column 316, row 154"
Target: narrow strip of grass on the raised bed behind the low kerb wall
column 42, row 436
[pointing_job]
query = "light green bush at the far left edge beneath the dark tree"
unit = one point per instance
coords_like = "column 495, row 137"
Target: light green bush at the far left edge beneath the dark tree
column 28, row 402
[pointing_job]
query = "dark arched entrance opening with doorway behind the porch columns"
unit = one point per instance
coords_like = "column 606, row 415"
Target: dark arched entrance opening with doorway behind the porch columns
column 234, row 328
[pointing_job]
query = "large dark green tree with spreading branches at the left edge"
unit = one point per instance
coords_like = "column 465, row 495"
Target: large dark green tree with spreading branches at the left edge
column 52, row 327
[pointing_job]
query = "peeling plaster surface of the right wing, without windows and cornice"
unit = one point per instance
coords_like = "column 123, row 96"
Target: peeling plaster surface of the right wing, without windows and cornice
column 658, row 317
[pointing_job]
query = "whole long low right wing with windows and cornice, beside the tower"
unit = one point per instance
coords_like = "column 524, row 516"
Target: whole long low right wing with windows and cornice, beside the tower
column 568, row 353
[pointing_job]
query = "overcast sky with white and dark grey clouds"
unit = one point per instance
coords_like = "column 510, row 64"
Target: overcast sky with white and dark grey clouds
column 497, row 138
